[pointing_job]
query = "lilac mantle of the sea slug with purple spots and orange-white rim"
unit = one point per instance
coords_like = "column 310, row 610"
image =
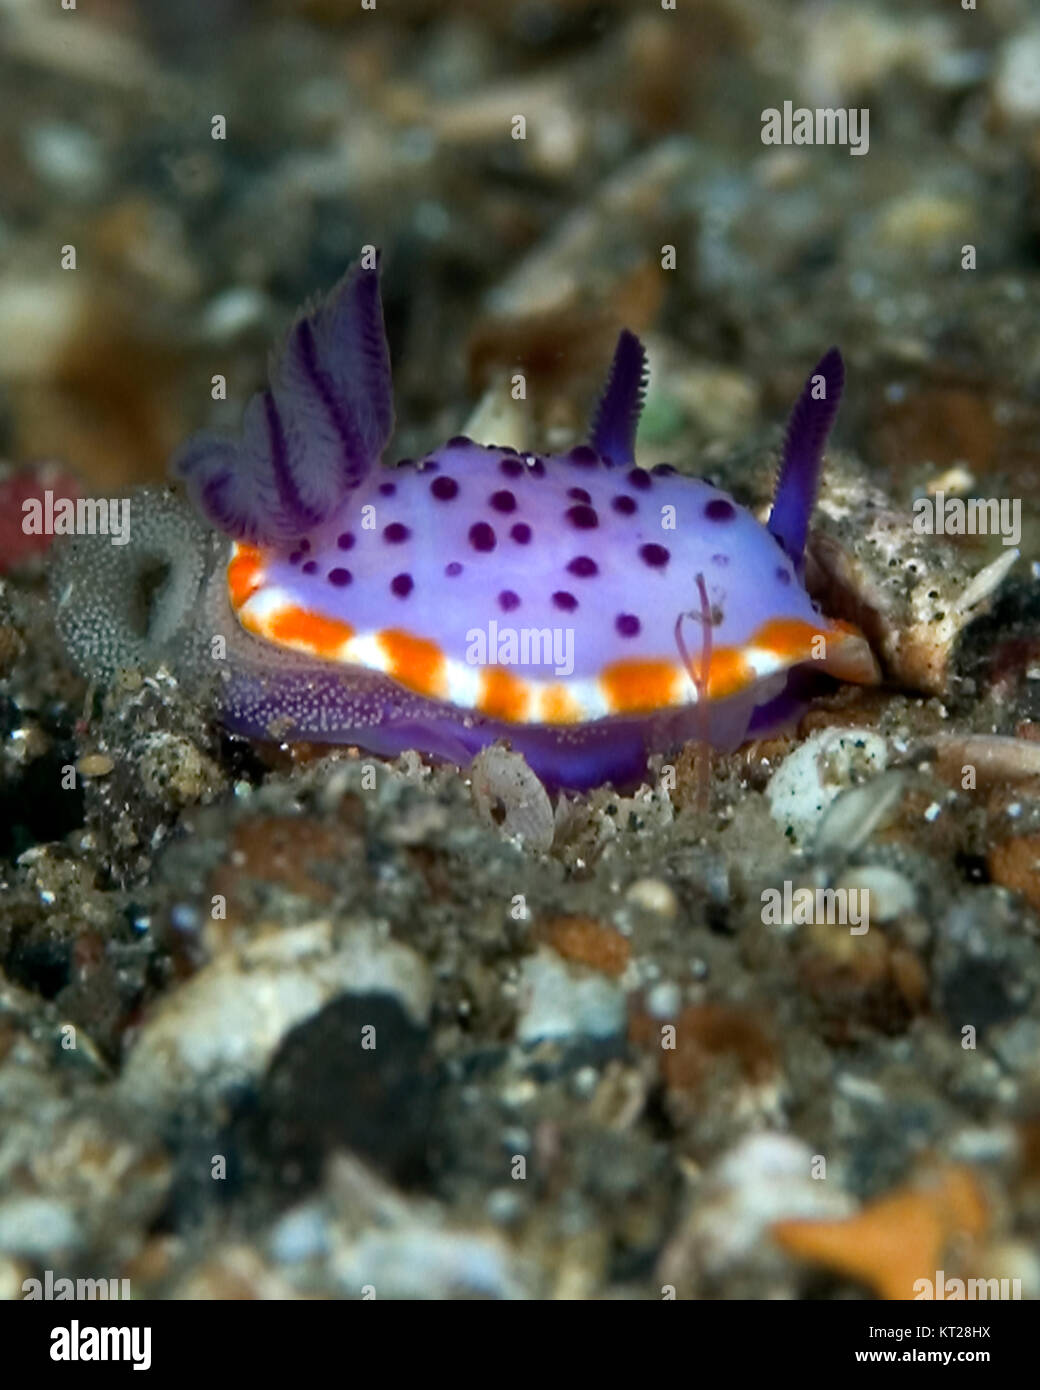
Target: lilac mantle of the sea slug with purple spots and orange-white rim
column 533, row 590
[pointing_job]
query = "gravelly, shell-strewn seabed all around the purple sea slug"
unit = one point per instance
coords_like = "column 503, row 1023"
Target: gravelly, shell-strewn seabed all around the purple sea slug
column 347, row 127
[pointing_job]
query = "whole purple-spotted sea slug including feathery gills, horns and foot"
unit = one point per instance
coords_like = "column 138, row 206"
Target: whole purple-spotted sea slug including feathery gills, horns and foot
column 580, row 608
